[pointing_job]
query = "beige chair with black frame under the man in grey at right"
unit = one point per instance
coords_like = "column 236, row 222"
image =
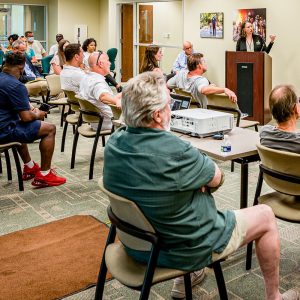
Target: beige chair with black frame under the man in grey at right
column 280, row 170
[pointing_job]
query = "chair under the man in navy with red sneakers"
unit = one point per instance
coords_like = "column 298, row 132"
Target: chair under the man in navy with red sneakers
column 4, row 148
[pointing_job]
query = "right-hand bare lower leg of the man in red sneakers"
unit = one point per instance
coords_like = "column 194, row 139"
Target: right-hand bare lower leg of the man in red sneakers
column 47, row 134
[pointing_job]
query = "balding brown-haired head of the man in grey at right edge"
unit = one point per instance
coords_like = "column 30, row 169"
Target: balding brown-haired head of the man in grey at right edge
column 282, row 102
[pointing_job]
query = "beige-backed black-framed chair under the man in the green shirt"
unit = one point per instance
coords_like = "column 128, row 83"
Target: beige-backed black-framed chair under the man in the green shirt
column 137, row 233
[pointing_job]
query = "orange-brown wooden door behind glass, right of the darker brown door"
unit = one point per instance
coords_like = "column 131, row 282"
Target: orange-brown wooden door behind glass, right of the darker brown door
column 145, row 29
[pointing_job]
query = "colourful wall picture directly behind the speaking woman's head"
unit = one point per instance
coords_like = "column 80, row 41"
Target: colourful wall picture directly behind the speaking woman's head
column 256, row 16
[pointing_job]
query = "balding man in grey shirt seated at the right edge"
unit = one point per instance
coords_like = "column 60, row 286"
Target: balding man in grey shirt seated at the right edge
column 285, row 108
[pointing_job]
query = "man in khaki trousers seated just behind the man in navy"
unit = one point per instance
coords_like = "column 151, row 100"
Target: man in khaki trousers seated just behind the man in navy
column 35, row 84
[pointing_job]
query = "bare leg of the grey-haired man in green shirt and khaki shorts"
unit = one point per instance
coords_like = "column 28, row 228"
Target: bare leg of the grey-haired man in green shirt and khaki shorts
column 262, row 227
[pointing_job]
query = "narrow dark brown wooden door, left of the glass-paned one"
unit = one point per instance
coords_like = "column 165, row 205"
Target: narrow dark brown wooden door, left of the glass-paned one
column 127, row 42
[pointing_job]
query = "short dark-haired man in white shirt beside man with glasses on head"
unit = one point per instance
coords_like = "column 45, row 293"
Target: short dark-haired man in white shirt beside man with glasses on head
column 71, row 75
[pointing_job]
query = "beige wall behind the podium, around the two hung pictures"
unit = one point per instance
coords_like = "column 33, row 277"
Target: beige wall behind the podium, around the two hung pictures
column 281, row 20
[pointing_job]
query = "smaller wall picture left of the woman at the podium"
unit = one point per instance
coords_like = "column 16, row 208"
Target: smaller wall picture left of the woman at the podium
column 211, row 25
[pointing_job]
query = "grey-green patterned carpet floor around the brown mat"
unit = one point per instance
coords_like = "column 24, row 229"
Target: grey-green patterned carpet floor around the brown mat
column 19, row 210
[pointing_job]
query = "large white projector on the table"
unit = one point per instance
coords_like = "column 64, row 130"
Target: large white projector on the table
column 201, row 122
